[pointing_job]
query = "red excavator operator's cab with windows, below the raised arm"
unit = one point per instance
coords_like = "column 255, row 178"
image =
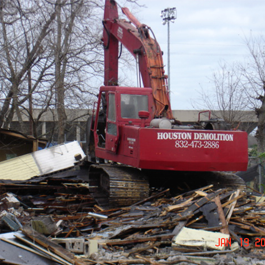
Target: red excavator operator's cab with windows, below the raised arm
column 120, row 106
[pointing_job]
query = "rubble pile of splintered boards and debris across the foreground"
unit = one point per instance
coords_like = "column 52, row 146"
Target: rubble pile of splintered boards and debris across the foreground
column 60, row 223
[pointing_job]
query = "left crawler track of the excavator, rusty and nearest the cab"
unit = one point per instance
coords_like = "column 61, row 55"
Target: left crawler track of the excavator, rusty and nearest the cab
column 115, row 186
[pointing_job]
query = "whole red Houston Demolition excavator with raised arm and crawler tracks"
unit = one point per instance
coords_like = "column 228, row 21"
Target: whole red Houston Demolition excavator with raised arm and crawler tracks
column 134, row 141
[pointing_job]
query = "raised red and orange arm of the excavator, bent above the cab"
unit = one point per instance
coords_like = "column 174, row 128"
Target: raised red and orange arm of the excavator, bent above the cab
column 145, row 49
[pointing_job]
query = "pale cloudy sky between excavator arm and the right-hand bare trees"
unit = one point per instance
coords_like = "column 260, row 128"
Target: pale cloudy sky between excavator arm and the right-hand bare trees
column 205, row 33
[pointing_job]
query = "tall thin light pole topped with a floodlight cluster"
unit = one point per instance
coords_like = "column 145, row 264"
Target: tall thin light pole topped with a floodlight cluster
column 168, row 15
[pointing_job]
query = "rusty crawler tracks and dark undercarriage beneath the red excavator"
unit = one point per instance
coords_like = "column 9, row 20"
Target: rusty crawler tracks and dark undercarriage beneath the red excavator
column 116, row 186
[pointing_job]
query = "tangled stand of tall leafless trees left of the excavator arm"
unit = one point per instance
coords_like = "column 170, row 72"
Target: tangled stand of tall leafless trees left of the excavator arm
column 51, row 59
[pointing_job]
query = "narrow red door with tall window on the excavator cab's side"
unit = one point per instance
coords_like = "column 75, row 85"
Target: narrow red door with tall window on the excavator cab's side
column 112, row 132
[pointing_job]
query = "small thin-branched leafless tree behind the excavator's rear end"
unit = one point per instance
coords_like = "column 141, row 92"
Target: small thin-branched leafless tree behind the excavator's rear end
column 227, row 99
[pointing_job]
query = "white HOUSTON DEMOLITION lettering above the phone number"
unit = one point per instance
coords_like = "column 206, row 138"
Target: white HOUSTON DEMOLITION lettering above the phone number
column 195, row 136
